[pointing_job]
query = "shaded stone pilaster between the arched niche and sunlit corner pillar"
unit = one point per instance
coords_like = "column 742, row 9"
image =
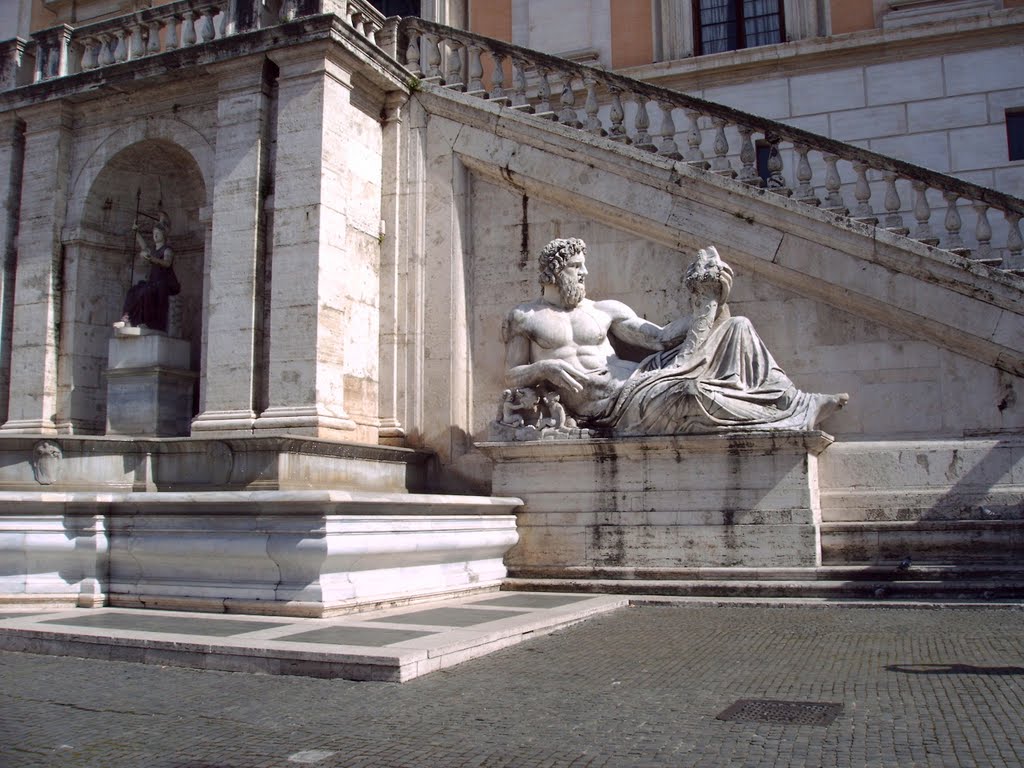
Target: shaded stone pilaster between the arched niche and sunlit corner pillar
column 233, row 305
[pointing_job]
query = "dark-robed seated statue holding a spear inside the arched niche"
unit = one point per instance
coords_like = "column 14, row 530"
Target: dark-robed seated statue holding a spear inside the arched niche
column 149, row 301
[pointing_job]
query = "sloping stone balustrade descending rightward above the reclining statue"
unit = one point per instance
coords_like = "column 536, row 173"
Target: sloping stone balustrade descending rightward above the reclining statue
column 454, row 59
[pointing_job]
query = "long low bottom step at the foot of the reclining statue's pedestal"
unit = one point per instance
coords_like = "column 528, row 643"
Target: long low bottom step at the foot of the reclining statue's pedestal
column 897, row 586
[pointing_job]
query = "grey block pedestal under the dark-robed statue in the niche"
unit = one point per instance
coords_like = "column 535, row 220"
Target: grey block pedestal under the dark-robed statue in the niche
column 149, row 387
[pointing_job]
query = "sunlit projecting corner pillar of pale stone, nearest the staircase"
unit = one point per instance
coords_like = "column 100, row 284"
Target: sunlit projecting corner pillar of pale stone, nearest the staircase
column 324, row 326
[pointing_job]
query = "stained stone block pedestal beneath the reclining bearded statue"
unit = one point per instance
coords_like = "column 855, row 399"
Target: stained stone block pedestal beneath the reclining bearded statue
column 651, row 506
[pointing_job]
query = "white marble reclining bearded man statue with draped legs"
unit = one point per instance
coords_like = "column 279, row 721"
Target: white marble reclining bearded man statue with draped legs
column 709, row 371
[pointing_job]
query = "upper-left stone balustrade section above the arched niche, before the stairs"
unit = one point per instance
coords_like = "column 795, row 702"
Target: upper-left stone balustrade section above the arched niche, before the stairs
column 67, row 51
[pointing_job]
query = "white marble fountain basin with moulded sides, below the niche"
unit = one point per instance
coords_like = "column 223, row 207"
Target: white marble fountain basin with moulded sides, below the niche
column 290, row 553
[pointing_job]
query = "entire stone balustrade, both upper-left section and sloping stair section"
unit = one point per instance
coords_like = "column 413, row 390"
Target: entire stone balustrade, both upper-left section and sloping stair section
column 816, row 170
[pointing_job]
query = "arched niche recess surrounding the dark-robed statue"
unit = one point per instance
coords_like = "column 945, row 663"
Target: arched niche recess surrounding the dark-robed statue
column 102, row 262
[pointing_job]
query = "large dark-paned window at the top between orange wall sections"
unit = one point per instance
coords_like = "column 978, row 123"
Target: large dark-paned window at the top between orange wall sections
column 731, row 25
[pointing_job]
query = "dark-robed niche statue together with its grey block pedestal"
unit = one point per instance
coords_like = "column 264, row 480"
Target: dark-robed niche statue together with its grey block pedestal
column 149, row 380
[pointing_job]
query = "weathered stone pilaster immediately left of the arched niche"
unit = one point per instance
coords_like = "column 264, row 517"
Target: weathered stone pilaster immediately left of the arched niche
column 37, row 300
